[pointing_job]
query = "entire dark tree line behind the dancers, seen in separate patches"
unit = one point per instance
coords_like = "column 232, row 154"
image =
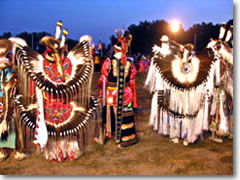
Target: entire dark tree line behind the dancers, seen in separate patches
column 145, row 35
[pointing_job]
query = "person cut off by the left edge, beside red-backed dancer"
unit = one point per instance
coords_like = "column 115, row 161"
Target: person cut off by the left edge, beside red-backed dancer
column 11, row 135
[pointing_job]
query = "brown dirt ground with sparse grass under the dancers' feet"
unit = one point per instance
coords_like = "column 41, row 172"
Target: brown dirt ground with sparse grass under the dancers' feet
column 154, row 154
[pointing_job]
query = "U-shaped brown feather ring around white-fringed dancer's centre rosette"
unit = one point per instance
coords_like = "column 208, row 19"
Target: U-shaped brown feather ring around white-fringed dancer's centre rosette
column 201, row 64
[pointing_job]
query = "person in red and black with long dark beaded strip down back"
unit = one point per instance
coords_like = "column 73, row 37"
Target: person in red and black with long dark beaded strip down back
column 118, row 91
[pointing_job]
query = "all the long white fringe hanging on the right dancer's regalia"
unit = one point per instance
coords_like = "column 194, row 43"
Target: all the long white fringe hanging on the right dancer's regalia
column 186, row 127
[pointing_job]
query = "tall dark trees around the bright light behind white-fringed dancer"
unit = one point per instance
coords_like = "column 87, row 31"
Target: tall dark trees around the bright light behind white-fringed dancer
column 146, row 34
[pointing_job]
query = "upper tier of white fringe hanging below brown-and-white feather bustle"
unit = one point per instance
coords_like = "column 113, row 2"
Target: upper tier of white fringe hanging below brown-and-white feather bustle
column 181, row 101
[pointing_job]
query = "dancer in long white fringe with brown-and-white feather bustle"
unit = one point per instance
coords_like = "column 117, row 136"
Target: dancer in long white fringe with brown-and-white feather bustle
column 181, row 82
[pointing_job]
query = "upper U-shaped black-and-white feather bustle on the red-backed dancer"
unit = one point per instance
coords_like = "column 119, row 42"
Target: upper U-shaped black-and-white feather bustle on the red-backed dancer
column 32, row 62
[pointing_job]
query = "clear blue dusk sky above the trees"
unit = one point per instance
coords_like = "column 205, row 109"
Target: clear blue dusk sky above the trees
column 99, row 18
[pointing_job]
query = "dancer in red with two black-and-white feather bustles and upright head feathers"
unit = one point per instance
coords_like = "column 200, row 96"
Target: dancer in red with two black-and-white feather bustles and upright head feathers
column 54, row 99
